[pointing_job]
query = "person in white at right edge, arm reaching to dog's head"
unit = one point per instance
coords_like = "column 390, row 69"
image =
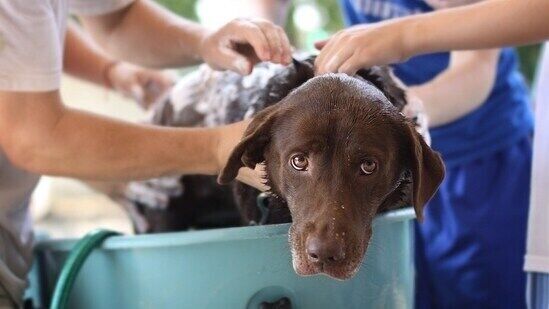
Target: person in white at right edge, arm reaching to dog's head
column 487, row 24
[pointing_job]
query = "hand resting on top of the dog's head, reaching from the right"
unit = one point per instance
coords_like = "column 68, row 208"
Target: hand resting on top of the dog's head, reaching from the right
column 361, row 47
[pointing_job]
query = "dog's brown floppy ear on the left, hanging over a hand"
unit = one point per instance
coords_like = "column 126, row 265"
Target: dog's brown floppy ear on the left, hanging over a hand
column 249, row 151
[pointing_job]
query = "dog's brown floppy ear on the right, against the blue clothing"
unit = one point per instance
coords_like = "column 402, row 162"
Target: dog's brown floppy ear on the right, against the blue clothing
column 426, row 168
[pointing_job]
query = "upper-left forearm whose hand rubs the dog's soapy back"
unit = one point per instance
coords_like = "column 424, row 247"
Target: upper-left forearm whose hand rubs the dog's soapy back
column 148, row 34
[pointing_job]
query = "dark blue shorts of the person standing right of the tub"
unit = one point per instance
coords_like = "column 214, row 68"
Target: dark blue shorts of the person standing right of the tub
column 470, row 248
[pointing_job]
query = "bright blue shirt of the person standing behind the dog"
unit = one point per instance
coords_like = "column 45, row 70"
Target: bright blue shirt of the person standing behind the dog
column 502, row 120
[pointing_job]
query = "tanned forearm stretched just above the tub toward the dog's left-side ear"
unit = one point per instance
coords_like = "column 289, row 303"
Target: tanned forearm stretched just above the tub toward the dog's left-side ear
column 121, row 151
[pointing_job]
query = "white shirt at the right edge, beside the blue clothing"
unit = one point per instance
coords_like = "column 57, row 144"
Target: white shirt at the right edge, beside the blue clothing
column 537, row 253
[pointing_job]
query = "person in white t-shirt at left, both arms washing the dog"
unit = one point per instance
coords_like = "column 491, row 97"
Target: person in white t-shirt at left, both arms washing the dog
column 39, row 135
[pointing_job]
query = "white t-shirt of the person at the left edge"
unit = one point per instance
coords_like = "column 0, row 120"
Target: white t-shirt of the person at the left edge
column 32, row 34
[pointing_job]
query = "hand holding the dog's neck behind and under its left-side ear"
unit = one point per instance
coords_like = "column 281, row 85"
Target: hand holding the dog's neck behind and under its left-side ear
column 227, row 138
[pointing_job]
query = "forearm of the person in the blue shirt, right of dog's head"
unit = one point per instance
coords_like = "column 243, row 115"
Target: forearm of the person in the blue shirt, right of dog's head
column 461, row 88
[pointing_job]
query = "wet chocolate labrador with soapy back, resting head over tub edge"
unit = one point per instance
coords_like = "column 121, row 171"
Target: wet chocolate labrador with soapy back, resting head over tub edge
column 337, row 151
